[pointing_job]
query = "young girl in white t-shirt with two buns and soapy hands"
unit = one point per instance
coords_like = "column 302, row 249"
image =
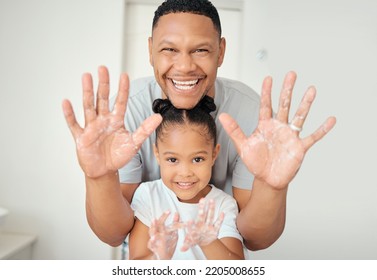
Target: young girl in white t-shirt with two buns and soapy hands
column 204, row 223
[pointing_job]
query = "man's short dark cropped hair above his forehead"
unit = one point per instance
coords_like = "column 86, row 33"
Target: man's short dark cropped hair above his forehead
column 198, row 7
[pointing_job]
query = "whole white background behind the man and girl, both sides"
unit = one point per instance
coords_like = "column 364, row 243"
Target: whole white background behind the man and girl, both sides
column 46, row 45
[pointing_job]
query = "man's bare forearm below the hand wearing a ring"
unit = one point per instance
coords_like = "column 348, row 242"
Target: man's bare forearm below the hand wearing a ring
column 262, row 220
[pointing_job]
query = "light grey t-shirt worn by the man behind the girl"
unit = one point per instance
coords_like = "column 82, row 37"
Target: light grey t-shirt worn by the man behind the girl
column 232, row 97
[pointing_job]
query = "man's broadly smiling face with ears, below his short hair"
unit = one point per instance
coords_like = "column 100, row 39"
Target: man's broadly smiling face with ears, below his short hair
column 185, row 51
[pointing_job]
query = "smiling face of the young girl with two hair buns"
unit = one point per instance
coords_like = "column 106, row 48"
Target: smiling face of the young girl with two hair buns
column 186, row 158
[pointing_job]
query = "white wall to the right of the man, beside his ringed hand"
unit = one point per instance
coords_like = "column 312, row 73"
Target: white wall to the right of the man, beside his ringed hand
column 332, row 212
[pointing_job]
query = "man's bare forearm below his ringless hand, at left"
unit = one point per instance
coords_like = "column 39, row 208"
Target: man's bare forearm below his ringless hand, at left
column 108, row 212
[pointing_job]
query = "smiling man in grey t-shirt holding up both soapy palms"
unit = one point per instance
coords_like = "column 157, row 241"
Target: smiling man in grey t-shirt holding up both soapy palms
column 186, row 48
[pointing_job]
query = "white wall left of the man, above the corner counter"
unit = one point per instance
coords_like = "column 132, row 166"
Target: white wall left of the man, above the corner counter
column 45, row 47
